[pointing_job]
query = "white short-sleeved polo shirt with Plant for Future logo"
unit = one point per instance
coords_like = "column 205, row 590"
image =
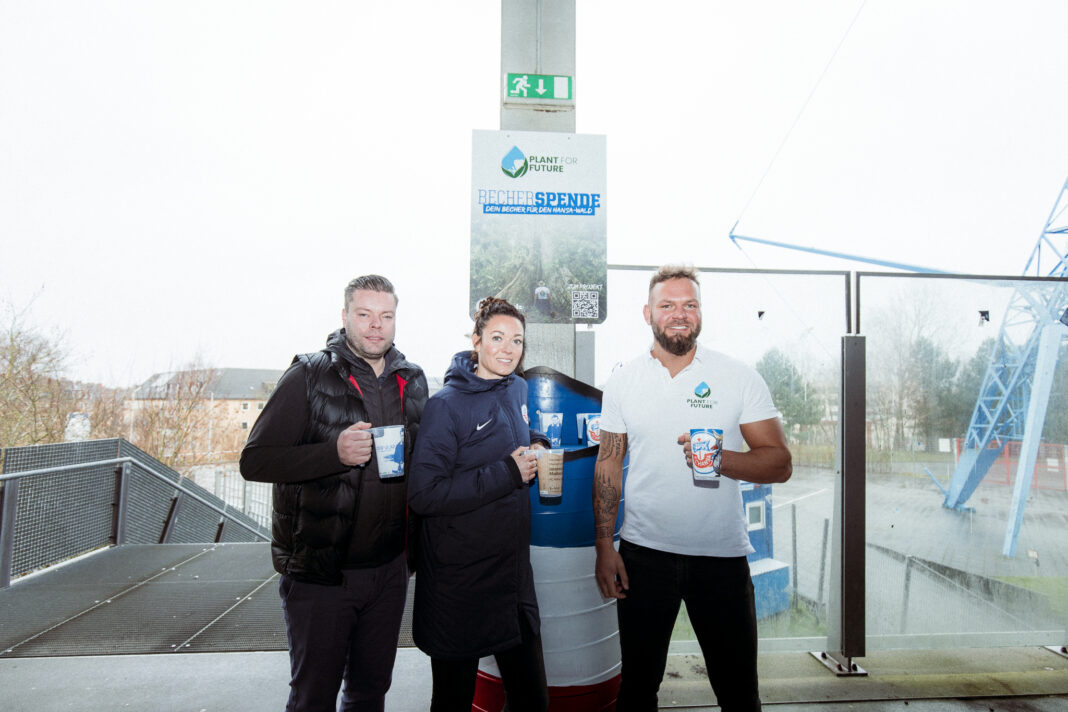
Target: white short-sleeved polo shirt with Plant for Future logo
column 664, row 510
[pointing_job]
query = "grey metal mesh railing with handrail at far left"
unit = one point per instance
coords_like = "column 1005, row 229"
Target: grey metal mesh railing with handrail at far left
column 60, row 501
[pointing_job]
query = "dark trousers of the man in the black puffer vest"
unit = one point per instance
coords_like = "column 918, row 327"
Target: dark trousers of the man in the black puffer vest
column 344, row 632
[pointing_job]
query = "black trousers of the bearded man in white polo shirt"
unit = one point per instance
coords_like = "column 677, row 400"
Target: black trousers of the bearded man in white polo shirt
column 719, row 599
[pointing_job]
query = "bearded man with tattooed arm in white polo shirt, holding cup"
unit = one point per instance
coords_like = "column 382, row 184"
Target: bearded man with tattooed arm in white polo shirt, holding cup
column 682, row 540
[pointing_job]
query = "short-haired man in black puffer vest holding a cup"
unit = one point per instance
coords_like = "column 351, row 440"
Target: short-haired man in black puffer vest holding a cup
column 340, row 531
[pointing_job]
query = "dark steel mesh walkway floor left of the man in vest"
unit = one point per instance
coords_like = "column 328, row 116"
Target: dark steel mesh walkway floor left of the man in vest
column 151, row 599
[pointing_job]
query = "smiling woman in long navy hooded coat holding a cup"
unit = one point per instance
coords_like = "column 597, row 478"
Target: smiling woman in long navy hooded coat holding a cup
column 470, row 474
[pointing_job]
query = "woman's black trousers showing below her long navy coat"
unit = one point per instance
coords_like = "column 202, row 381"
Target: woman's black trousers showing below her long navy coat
column 523, row 674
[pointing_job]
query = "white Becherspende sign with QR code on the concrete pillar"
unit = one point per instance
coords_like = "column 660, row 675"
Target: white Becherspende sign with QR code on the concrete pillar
column 539, row 229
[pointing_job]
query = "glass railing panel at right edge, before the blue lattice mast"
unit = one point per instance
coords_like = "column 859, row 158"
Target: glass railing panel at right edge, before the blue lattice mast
column 952, row 381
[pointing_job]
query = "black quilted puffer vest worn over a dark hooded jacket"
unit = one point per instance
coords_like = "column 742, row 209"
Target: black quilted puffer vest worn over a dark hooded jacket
column 315, row 520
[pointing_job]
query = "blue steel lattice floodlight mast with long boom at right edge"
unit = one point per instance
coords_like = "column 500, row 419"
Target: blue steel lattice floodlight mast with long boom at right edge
column 1016, row 389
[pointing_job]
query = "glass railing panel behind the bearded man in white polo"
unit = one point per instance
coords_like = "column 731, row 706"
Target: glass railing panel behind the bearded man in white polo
column 789, row 327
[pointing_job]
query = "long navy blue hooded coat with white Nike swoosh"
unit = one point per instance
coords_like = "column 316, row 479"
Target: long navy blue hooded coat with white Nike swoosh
column 475, row 578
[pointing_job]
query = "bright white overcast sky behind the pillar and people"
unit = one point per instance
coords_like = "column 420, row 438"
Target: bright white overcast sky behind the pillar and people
column 203, row 178
